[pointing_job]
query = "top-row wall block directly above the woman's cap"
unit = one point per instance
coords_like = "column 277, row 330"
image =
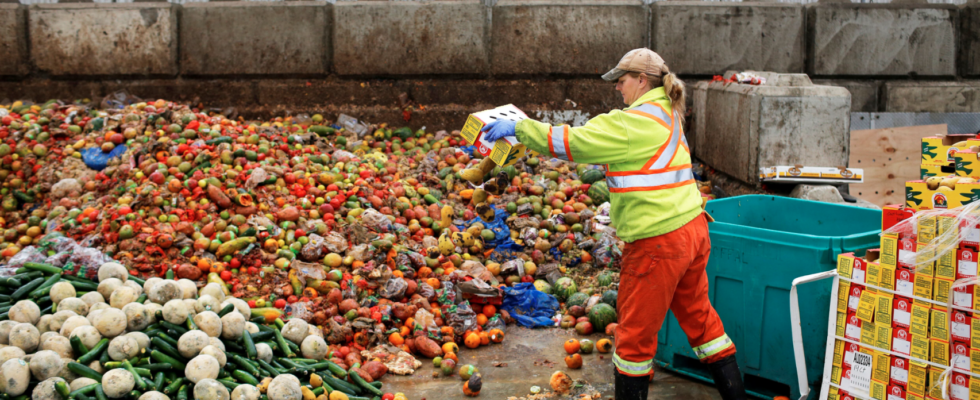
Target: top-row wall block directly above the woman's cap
column 565, row 37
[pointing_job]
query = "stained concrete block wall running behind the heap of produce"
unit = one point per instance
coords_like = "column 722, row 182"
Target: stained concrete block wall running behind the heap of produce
column 450, row 55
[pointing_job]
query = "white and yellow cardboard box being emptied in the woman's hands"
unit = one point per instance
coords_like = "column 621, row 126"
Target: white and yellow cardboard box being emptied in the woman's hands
column 503, row 152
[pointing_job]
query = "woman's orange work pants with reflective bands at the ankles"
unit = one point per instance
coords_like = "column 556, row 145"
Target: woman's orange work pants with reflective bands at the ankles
column 660, row 273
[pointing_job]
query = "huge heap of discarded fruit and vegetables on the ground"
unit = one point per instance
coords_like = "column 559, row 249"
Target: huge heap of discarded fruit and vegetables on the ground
column 158, row 248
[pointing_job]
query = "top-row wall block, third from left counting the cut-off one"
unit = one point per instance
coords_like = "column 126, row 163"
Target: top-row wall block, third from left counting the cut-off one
column 255, row 38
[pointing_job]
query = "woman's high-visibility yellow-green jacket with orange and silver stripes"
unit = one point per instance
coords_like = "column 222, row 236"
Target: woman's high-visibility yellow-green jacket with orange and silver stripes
column 648, row 163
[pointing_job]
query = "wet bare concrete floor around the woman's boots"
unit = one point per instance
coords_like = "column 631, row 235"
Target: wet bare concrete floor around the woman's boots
column 531, row 356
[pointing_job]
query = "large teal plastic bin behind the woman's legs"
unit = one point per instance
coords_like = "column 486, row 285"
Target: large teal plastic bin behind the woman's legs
column 759, row 244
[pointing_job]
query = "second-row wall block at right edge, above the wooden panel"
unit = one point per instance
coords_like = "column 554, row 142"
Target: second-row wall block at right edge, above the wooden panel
column 962, row 96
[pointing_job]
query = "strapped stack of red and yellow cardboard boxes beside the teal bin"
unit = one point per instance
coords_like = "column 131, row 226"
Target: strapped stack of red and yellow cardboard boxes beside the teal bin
column 892, row 333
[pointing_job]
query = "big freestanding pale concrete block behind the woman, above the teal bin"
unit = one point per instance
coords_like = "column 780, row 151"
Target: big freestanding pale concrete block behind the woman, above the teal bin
column 787, row 121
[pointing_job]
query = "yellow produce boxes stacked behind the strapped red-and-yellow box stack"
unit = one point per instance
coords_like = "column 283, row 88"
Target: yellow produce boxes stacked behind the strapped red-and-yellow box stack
column 943, row 160
